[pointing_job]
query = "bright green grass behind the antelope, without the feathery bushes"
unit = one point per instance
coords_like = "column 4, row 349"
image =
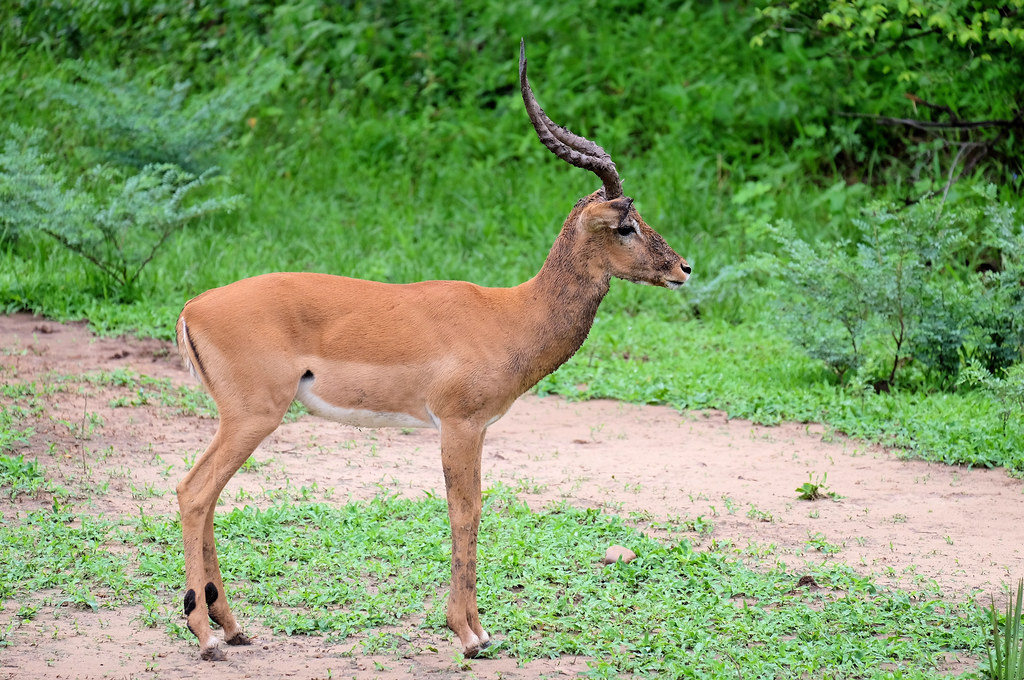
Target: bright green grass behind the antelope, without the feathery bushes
column 415, row 171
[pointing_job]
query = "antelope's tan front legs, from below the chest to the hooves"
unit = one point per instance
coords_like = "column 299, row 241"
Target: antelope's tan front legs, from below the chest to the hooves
column 461, row 446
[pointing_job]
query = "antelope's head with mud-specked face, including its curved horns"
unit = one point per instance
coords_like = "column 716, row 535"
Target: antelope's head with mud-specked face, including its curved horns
column 622, row 244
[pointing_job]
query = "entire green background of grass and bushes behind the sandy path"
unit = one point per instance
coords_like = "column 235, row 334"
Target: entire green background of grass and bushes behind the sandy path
column 843, row 177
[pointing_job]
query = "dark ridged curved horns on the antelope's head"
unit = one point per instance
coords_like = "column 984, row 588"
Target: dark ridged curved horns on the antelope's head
column 573, row 149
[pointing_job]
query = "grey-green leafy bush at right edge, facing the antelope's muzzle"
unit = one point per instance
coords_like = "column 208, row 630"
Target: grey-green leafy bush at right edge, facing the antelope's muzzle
column 910, row 295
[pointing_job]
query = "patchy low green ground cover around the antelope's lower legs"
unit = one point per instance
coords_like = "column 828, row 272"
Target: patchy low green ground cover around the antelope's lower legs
column 339, row 571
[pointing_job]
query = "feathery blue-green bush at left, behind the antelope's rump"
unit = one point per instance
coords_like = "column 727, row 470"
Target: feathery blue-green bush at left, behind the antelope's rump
column 156, row 148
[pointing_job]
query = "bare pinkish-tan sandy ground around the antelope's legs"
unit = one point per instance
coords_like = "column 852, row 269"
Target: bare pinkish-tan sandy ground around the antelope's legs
column 904, row 522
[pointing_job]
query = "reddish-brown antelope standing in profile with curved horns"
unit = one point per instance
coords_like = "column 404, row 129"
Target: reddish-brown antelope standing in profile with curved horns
column 447, row 355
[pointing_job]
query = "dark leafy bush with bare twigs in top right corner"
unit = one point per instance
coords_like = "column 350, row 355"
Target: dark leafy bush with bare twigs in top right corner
column 930, row 89
